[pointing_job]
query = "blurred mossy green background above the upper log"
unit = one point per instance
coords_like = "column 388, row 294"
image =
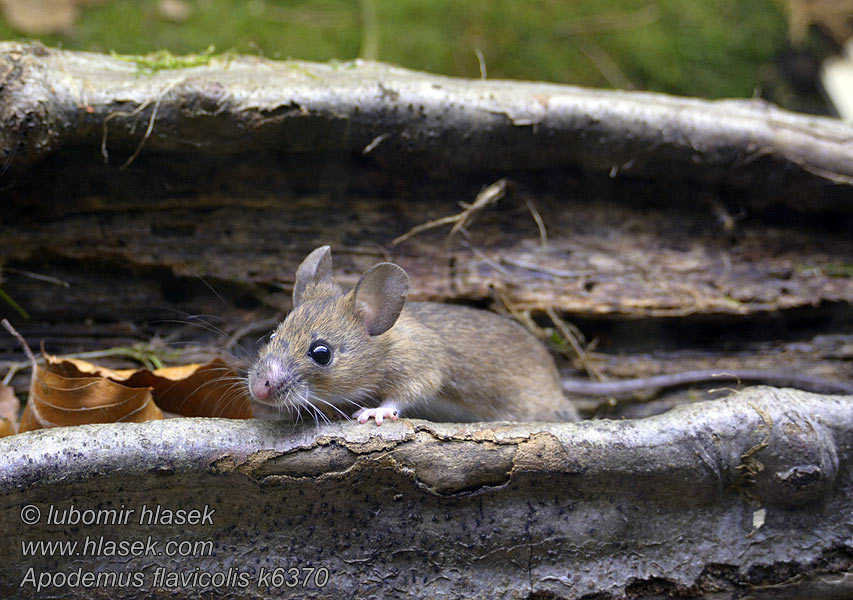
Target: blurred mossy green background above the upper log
column 706, row 48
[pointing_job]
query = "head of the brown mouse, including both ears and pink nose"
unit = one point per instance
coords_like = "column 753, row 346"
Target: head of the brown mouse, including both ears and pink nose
column 329, row 353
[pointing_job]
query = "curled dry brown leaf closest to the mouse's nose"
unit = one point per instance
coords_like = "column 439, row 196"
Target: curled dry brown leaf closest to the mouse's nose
column 213, row 389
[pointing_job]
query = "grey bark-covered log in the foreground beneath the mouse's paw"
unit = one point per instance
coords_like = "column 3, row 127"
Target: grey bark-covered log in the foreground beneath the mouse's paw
column 748, row 495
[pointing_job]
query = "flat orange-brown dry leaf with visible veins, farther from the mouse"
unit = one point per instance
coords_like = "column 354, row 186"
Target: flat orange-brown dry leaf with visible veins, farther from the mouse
column 57, row 399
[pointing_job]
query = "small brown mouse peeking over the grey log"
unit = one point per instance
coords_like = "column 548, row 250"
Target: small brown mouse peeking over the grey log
column 340, row 352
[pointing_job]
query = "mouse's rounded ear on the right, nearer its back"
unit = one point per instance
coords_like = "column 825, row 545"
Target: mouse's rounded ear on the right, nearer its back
column 380, row 295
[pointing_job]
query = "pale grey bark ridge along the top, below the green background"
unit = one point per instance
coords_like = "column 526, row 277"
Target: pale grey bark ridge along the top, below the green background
column 403, row 119
